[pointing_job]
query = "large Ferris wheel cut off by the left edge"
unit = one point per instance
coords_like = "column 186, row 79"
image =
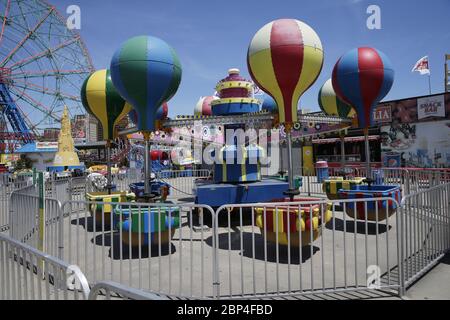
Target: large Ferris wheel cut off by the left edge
column 42, row 67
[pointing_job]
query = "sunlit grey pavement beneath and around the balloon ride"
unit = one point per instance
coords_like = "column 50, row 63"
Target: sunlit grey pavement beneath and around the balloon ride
column 247, row 263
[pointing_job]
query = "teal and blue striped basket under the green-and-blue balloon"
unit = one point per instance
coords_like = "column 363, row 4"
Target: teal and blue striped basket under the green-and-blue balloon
column 154, row 226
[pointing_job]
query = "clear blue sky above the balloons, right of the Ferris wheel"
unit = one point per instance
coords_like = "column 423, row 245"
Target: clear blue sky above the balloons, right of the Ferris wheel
column 212, row 36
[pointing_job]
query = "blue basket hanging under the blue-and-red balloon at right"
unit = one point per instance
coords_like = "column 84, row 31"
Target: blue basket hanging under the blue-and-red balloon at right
column 377, row 210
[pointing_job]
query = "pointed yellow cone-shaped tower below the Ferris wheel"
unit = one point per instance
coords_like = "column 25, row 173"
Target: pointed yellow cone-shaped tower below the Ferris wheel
column 66, row 156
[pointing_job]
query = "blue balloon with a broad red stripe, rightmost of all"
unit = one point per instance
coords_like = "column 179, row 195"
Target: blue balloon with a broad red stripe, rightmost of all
column 363, row 77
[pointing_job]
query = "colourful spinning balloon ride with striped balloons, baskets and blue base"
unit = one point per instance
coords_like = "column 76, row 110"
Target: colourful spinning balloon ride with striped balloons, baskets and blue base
column 286, row 45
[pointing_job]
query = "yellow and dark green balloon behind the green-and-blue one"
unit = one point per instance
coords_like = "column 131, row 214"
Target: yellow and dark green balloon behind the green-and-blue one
column 101, row 100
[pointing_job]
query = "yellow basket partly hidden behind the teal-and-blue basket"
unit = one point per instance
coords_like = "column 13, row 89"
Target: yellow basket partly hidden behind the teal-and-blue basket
column 106, row 205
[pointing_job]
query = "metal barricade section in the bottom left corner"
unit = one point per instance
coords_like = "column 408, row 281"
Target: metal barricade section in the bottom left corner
column 28, row 274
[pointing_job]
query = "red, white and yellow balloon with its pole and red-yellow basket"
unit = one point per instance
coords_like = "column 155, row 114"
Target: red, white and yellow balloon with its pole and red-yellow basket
column 285, row 58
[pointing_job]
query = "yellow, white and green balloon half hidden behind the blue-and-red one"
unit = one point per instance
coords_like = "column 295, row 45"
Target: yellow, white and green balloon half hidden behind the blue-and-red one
column 331, row 104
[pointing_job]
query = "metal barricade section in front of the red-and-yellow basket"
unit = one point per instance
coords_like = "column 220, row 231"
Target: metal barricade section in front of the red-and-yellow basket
column 262, row 252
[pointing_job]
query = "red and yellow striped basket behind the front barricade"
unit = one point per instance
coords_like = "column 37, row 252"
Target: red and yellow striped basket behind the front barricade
column 287, row 226
